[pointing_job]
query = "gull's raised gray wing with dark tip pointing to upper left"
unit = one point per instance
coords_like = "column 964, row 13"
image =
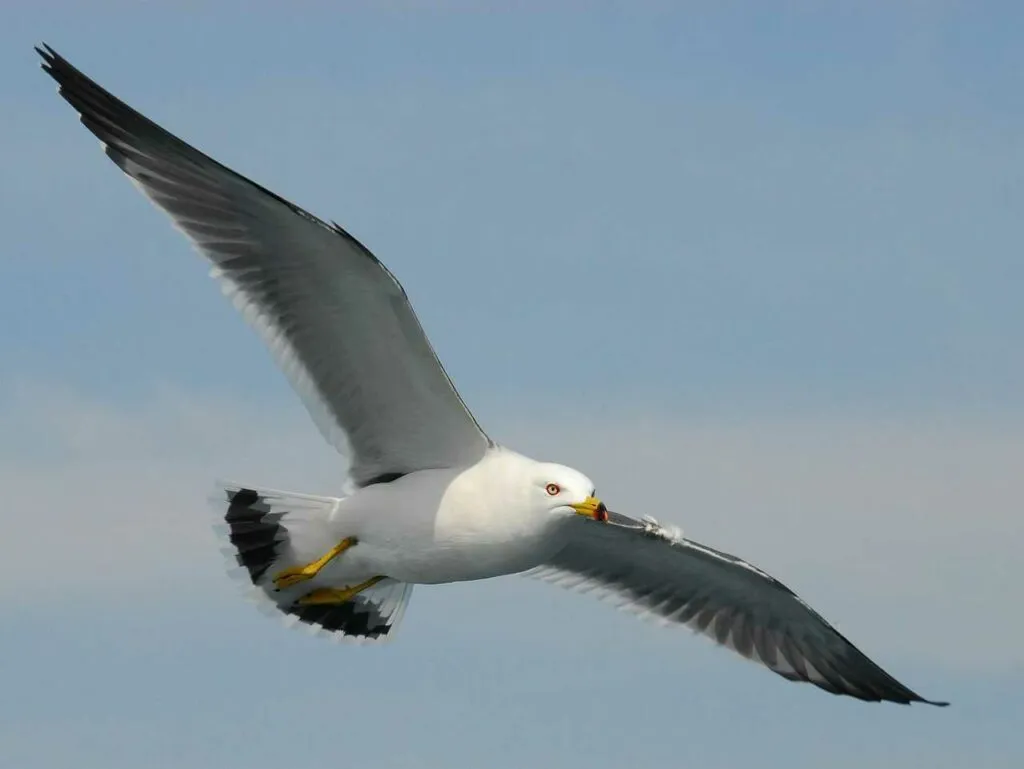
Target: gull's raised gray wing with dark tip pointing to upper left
column 337, row 321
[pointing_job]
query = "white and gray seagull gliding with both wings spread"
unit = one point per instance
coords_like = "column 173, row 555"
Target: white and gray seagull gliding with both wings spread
column 429, row 497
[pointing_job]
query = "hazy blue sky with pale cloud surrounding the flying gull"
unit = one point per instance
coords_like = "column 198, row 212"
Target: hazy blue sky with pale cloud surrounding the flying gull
column 755, row 269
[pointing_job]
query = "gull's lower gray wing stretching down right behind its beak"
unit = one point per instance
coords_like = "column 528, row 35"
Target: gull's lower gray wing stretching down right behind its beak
column 656, row 572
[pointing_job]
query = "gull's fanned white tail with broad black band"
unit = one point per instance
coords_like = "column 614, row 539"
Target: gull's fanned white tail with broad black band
column 262, row 526
